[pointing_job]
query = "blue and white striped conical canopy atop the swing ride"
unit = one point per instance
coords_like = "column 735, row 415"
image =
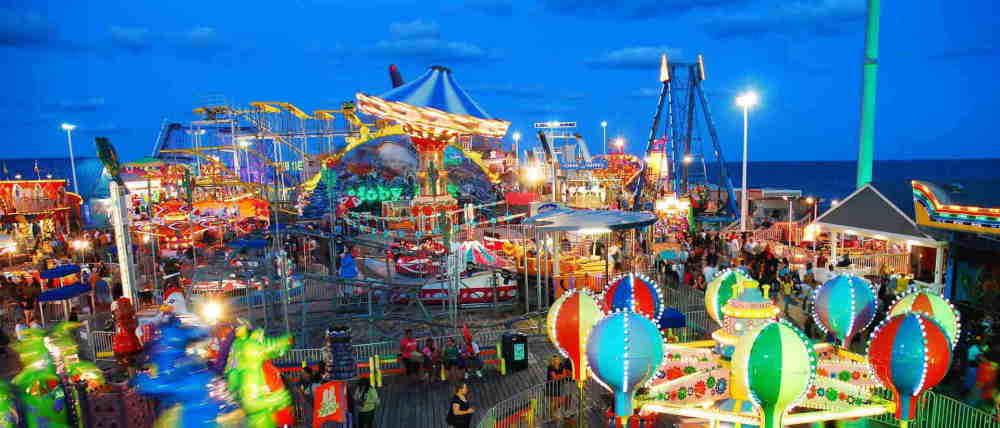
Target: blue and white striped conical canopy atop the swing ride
column 437, row 89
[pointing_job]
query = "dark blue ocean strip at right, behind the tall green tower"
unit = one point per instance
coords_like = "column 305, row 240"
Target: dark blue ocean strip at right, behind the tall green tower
column 836, row 179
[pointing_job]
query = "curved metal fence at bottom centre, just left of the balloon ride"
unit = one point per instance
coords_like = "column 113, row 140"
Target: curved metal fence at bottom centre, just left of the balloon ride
column 539, row 405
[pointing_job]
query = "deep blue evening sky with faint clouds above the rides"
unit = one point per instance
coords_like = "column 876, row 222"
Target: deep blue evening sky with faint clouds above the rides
column 120, row 69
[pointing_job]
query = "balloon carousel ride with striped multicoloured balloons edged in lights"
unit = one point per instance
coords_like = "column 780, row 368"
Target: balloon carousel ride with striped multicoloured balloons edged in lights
column 759, row 370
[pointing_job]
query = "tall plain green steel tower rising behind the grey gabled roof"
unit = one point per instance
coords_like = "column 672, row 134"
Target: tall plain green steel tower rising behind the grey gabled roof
column 866, row 143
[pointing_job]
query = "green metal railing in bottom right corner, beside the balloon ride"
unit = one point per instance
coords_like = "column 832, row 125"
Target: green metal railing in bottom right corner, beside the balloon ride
column 936, row 410
